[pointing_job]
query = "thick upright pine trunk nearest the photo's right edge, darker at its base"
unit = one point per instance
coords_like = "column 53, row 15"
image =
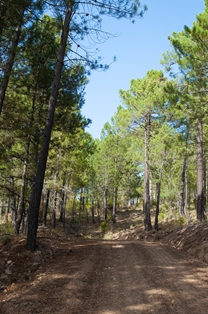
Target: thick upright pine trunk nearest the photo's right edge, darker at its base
column 200, row 173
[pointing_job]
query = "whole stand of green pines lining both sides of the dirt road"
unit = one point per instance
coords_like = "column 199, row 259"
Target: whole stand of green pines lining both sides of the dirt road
column 153, row 150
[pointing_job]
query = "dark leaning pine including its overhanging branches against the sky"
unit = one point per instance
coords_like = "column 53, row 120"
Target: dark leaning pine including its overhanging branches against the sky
column 79, row 20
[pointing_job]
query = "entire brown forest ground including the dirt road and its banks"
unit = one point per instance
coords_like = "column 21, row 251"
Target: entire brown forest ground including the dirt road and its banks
column 119, row 271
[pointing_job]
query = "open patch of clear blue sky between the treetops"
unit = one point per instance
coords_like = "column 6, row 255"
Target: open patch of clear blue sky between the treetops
column 138, row 48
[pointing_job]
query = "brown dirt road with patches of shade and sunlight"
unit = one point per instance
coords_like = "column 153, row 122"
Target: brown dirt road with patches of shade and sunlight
column 112, row 277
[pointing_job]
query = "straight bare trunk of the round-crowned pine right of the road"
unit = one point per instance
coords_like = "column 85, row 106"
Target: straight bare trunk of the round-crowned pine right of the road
column 147, row 219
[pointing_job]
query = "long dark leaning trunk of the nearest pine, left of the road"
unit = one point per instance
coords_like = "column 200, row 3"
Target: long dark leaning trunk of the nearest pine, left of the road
column 40, row 174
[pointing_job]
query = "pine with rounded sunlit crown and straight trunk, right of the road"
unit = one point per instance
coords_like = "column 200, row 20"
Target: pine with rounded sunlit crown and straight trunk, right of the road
column 143, row 101
